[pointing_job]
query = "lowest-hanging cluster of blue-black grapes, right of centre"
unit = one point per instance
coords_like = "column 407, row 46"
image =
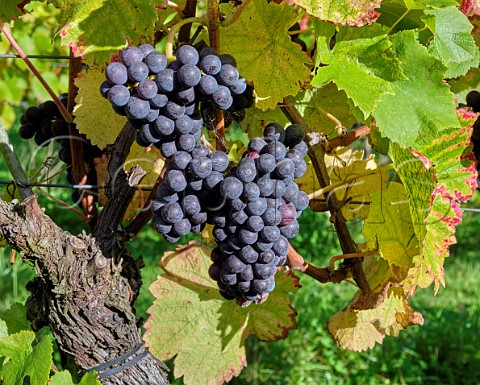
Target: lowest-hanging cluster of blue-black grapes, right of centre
column 263, row 204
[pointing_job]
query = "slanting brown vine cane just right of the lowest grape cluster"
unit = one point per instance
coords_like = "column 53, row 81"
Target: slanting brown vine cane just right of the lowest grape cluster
column 317, row 156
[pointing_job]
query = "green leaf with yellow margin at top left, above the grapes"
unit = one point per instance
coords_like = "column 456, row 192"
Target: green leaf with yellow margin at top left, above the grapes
column 84, row 26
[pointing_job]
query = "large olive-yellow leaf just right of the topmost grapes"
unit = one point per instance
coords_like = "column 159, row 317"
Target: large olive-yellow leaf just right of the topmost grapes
column 265, row 53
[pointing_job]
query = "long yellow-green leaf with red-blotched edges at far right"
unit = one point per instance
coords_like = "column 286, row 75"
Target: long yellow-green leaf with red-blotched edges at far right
column 456, row 181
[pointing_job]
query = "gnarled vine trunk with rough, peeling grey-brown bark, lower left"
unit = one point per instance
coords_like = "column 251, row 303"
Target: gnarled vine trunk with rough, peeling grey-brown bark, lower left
column 87, row 283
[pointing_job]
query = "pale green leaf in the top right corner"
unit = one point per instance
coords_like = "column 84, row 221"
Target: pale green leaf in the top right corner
column 455, row 47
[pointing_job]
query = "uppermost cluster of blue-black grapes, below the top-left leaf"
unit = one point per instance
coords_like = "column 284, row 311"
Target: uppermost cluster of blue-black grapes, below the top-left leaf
column 162, row 100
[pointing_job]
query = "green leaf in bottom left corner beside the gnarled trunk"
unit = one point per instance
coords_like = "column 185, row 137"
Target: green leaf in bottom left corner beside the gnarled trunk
column 25, row 360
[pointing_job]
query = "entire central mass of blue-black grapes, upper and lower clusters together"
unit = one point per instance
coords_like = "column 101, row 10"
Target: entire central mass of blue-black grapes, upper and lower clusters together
column 253, row 206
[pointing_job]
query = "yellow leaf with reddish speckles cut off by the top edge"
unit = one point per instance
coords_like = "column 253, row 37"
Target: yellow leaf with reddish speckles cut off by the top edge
column 358, row 13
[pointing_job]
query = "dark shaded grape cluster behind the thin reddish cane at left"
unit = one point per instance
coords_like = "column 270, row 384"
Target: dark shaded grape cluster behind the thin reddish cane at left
column 45, row 124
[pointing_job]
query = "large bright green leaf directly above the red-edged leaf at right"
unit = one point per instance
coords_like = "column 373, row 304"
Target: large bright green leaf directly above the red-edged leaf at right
column 421, row 105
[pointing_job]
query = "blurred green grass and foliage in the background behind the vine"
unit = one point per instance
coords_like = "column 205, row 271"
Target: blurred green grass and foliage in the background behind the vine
column 443, row 351
